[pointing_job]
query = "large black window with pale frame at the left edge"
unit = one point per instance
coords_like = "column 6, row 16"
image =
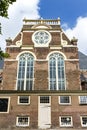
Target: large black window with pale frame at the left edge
column 4, row 104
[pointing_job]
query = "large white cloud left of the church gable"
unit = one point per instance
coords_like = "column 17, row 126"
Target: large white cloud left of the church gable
column 17, row 12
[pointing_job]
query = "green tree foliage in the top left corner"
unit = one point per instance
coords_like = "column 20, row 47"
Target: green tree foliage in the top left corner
column 4, row 4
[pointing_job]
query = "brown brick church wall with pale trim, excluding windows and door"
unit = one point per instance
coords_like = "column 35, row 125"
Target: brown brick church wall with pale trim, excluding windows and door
column 8, row 89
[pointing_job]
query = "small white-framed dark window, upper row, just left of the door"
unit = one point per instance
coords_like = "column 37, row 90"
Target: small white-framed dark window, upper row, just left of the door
column 23, row 100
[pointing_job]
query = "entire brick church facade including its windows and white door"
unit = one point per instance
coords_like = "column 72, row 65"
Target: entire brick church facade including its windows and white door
column 41, row 87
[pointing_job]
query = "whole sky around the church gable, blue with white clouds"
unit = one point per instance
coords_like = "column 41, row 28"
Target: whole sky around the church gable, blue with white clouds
column 73, row 15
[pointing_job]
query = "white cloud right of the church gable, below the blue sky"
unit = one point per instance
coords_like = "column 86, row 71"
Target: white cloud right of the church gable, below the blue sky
column 80, row 32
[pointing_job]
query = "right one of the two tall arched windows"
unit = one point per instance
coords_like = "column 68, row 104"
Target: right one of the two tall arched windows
column 56, row 72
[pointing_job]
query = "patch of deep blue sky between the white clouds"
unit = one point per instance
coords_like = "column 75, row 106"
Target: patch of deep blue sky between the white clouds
column 67, row 10
